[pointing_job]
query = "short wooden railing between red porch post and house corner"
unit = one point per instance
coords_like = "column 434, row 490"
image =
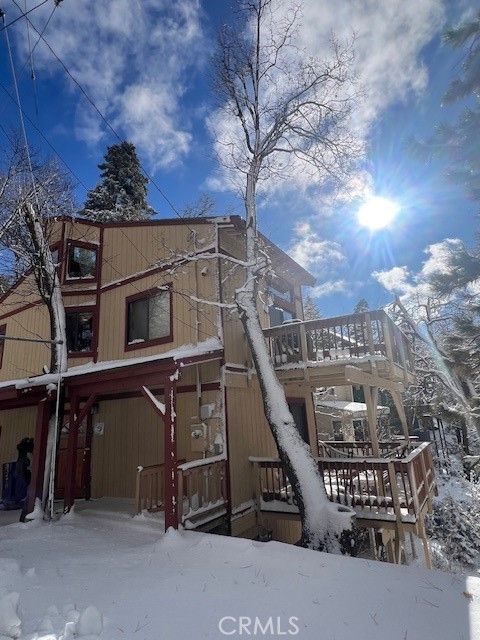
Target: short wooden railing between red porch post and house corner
column 202, row 487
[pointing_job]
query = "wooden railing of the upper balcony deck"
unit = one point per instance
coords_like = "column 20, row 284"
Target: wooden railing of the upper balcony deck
column 352, row 336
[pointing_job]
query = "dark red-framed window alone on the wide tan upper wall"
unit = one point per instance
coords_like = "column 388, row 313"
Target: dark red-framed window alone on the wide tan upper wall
column 149, row 317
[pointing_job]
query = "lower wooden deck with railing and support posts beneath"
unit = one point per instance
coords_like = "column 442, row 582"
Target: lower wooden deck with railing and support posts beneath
column 392, row 491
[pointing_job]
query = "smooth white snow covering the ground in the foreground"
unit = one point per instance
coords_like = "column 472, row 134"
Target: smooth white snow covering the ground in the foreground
column 110, row 576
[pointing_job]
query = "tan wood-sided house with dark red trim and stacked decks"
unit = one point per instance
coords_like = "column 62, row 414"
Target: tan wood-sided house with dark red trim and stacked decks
column 163, row 406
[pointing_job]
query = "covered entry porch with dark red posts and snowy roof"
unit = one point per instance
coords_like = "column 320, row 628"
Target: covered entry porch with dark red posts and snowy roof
column 163, row 414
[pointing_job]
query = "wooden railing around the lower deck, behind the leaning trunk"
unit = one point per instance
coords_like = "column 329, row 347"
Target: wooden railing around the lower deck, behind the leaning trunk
column 375, row 487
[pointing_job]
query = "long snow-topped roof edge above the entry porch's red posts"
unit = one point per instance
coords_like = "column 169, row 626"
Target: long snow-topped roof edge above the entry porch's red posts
column 177, row 355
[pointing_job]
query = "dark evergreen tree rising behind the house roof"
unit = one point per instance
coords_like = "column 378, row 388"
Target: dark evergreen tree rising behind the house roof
column 121, row 195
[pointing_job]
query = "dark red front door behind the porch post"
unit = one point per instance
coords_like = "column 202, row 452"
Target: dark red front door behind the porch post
column 82, row 471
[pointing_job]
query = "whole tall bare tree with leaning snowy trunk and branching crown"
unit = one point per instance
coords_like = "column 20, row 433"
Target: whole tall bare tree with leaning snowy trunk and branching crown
column 288, row 111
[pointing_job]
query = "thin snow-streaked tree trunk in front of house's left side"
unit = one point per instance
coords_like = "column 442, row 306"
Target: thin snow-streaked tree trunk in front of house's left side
column 48, row 284
